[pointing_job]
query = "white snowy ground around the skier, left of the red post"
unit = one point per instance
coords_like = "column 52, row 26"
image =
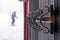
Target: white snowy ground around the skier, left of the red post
column 8, row 32
